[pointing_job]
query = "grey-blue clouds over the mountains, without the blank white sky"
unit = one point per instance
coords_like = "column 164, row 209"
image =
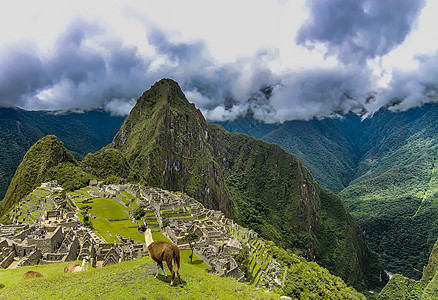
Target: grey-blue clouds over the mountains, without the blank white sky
column 87, row 67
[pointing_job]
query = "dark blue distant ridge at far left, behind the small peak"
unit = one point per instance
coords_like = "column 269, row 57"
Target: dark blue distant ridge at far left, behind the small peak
column 81, row 132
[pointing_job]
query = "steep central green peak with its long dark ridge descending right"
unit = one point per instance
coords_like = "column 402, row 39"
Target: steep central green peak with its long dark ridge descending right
column 166, row 142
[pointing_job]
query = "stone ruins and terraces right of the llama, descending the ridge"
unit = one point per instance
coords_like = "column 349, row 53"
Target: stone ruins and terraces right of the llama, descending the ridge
column 217, row 243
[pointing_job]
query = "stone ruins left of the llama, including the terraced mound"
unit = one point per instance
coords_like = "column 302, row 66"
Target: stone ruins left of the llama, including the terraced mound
column 56, row 235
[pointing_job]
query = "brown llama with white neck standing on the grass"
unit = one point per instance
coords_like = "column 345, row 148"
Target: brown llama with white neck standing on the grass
column 162, row 251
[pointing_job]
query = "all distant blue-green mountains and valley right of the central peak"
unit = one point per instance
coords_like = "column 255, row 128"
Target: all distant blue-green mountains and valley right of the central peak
column 384, row 168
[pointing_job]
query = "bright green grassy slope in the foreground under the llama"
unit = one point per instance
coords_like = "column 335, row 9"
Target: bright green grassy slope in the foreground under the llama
column 128, row 280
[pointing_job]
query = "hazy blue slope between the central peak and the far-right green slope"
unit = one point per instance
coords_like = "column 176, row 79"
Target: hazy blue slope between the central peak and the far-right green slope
column 323, row 145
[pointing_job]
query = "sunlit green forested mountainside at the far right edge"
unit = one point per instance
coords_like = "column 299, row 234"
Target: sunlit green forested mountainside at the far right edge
column 394, row 195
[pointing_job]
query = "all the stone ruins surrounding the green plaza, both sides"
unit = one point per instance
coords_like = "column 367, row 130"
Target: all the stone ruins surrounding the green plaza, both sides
column 65, row 240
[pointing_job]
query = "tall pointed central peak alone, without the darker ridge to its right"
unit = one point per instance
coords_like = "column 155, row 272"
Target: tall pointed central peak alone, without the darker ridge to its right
column 165, row 141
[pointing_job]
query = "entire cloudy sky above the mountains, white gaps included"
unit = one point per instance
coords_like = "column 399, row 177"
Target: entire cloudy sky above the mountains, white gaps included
column 277, row 60
